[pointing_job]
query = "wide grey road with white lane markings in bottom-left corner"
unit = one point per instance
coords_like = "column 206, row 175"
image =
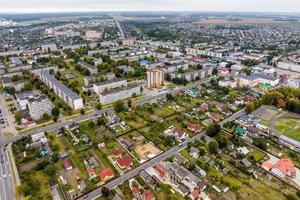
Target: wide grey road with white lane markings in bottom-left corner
column 7, row 189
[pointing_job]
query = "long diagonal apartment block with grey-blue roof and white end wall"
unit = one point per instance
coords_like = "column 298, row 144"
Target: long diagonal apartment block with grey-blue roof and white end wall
column 65, row 93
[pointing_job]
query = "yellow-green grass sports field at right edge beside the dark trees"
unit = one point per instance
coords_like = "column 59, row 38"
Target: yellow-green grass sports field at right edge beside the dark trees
column 289, row 127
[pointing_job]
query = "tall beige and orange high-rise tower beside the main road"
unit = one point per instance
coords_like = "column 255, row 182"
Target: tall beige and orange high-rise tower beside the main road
column 155, row 78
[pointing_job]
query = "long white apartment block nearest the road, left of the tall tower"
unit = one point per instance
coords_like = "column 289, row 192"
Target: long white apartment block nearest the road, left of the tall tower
column 119, row 94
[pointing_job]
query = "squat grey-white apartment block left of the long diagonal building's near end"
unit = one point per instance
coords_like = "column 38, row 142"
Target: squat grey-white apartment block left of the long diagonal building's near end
column 39, row 105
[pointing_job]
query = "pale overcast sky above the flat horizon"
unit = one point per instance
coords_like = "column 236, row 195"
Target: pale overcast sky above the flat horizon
column 149, row 5
